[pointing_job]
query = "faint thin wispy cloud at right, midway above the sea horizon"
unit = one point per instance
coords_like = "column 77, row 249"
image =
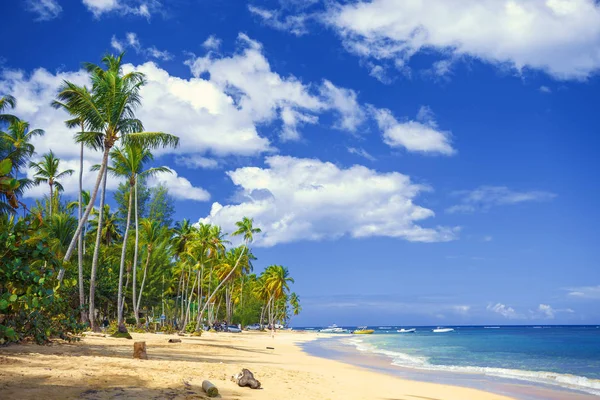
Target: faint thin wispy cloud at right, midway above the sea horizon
column 486, row 197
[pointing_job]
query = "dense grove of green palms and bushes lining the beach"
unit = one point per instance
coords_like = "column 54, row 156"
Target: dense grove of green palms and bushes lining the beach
column 71, row 265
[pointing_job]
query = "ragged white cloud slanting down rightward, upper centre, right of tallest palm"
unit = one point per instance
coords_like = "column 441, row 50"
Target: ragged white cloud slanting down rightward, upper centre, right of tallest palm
column 265, row 96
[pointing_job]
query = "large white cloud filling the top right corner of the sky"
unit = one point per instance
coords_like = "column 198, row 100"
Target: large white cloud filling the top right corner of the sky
column 561, row 37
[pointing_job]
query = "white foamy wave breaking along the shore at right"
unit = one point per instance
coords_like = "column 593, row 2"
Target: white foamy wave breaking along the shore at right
column 581, row 383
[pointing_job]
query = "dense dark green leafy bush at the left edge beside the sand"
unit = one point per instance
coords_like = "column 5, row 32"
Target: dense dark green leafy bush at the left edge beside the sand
column 30, row 305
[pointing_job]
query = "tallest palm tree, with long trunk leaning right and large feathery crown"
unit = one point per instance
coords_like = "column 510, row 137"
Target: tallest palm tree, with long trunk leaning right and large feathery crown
column 108, row 112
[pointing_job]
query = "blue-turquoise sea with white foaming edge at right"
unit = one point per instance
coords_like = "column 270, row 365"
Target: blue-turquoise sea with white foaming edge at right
column 561, row 356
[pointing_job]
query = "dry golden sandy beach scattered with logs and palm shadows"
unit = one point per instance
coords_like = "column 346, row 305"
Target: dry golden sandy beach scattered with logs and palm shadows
column 103, row 368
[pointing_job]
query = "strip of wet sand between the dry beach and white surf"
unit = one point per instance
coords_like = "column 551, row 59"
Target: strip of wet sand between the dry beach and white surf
column 341, row 348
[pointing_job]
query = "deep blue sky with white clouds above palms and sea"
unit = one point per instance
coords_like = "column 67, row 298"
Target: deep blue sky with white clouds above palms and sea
column 410, row 164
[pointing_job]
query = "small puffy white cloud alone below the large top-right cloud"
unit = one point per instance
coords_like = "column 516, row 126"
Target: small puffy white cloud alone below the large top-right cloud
column 421, row 135
